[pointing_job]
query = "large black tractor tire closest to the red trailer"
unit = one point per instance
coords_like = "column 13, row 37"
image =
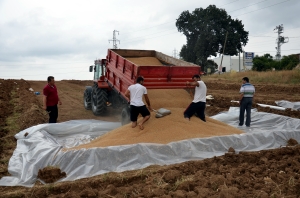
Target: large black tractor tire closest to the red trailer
column 99, row 99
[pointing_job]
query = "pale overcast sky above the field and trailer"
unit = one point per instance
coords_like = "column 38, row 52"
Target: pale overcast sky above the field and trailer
column 62, row 38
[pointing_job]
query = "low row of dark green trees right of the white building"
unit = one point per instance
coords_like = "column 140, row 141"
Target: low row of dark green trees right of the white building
column 266, row 62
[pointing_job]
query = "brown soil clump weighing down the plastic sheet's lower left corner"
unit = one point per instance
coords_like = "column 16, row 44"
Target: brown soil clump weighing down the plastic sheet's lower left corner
column 51, row 174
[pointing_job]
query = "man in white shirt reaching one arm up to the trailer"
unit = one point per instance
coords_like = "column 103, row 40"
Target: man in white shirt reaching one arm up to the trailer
column 199, row 103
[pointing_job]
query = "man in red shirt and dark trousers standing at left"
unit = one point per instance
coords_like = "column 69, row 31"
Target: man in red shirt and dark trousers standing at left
column 51, row 99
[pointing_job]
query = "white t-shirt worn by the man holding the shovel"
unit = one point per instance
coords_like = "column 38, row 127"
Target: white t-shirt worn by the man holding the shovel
column 136, row 94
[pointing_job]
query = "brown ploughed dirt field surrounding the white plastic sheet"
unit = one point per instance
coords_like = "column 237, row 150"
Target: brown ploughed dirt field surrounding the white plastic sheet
column 273, row 173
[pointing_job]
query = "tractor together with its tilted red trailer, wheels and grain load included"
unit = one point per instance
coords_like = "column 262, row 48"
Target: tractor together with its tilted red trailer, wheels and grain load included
column 120, row 69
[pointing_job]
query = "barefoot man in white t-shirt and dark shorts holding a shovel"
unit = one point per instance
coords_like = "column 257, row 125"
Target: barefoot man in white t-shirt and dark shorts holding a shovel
column 135, row 94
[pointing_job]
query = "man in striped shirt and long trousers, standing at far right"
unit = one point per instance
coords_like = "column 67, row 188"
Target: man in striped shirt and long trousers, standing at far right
column 247, row 93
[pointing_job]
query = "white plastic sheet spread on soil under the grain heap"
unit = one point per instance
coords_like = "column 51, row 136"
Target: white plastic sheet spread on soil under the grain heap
column 43, row 147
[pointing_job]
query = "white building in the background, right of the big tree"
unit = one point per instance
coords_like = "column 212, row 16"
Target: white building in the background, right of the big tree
column 231, row 63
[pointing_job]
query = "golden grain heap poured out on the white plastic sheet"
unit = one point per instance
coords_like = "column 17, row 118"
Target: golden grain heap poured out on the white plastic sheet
column 170, row 128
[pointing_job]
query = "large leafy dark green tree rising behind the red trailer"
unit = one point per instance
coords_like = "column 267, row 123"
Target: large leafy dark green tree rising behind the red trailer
column 205, row 30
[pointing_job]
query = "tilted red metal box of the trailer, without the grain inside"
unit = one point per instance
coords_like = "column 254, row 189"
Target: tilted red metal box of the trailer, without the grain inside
column 121, row 72
